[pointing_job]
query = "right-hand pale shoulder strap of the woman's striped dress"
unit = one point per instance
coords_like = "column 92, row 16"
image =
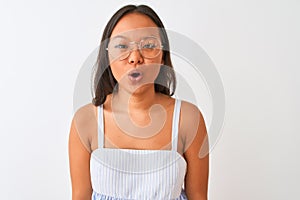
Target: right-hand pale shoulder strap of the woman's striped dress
column 175, row 124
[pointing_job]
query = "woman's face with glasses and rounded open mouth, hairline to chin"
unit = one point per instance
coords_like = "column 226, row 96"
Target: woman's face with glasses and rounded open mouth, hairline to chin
column 133, row 68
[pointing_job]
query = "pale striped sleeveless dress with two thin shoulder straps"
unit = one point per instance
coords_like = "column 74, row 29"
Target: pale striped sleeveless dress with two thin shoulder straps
column 119, row 174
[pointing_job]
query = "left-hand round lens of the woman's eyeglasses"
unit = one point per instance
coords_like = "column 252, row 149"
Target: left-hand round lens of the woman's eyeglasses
column 118, row 48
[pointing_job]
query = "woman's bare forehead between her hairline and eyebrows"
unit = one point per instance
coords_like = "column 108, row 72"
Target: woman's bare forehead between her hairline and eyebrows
column 135, row 26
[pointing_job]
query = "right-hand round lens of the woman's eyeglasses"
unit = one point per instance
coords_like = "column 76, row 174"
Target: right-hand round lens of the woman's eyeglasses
column 150, row 47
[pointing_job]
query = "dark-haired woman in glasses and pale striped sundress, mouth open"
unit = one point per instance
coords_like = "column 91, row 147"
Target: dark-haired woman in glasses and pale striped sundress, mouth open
column 135, row 141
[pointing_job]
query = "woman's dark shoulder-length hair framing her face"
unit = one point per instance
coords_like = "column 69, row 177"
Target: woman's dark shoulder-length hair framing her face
column 104, row 82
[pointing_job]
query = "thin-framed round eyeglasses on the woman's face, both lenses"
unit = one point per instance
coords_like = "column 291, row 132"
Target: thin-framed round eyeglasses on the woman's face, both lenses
column 120, row 47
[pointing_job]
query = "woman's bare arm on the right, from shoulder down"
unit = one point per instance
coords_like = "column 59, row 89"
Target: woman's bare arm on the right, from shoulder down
column 196, row 153
